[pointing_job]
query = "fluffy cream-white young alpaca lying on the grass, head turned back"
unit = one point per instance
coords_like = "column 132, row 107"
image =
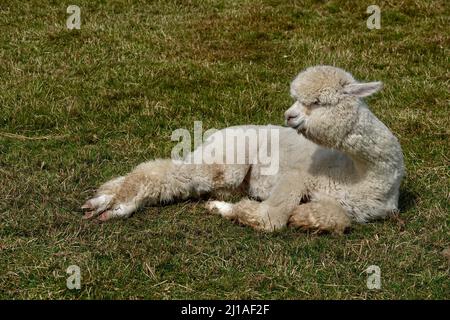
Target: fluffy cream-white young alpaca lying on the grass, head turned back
column 338, row 163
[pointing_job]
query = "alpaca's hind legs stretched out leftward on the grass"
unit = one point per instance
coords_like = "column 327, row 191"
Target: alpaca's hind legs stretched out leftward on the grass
column 160, row 181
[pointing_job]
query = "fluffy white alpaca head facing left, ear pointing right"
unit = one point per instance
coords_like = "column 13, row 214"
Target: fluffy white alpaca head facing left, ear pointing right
column 326, row 101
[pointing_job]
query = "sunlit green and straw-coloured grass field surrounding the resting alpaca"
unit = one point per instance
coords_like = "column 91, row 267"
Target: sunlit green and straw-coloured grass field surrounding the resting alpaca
column 79, row 107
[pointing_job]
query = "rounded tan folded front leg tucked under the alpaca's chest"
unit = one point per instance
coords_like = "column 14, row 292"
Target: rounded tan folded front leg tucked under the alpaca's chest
column 320, row 215
